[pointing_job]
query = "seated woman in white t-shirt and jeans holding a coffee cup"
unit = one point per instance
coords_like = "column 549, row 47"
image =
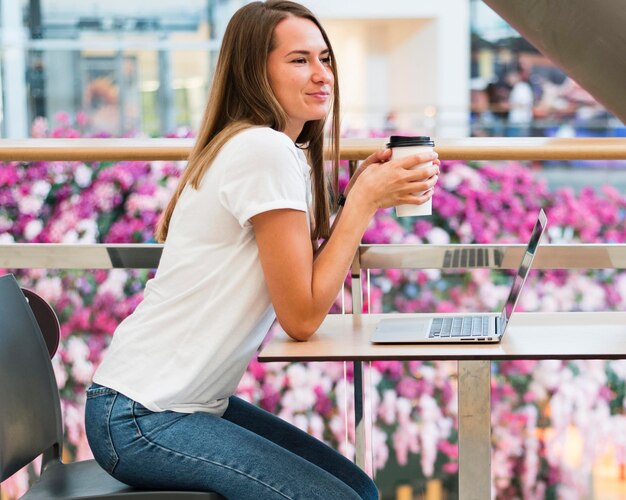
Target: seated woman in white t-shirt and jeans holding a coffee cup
column 238, row 238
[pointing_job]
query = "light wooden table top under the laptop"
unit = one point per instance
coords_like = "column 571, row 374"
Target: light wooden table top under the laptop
column 561, row 335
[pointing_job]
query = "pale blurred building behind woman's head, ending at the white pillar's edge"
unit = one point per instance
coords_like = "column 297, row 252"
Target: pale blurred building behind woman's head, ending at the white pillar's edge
column 130, row 69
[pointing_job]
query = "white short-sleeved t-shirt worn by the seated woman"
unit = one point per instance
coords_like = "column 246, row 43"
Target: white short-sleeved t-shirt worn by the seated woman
column 206, row 311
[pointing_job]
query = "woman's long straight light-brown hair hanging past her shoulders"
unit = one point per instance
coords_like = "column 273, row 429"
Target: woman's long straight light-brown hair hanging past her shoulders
column 241, row 97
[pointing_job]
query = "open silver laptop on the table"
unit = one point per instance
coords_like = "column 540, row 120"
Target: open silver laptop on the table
column 447, row 328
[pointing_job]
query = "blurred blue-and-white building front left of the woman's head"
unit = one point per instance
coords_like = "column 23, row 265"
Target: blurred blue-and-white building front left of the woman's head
column 128, row 67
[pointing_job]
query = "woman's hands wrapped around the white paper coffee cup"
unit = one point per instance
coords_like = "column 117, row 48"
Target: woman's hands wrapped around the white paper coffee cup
column 387, row 183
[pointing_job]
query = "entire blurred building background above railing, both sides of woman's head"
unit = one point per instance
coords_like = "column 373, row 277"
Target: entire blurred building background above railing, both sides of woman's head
column 450, row 68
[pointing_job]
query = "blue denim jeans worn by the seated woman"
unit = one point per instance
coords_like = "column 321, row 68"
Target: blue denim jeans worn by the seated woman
column 247, row 453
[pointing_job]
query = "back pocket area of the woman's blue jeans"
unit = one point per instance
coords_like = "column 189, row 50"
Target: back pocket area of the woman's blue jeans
column 98, row 412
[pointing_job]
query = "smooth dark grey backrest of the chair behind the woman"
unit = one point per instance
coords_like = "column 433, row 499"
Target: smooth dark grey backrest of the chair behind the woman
column 30, row 410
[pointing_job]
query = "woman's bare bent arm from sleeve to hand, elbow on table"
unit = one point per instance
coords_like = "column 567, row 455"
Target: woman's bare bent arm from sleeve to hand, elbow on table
column 303, row 289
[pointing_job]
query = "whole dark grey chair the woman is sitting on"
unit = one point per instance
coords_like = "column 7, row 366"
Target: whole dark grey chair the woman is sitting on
column 30, row 409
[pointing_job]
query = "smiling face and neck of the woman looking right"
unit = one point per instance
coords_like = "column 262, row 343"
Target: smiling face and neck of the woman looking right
column 299, row 72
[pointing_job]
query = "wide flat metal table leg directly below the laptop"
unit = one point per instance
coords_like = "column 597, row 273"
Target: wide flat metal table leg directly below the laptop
column 474, row 430
